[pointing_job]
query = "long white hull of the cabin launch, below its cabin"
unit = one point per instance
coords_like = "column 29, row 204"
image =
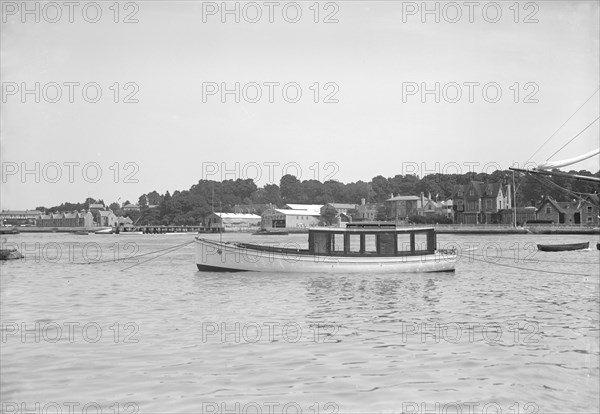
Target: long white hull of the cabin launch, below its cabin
column 216, row 256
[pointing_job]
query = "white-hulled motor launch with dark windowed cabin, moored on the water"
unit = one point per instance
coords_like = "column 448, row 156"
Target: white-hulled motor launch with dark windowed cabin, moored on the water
column 367, row 250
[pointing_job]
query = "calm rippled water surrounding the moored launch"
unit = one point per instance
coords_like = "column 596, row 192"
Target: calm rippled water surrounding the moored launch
column 161, row 337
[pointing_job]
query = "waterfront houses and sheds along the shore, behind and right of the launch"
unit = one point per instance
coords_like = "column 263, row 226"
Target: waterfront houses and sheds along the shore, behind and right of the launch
column 474, row 203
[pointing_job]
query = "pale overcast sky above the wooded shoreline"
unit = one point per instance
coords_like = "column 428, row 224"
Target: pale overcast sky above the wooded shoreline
column 368, row 68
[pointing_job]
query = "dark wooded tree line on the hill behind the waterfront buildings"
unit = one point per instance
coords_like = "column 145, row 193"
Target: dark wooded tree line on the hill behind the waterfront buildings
column 190, row 207
